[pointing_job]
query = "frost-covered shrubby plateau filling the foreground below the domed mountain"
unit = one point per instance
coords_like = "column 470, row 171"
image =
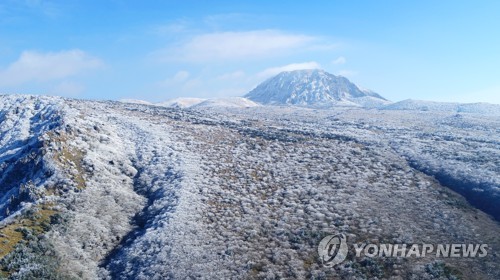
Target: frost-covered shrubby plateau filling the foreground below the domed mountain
column 115, row 190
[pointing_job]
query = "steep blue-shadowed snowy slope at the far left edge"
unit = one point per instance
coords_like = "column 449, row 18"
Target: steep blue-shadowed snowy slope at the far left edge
column 24, row 121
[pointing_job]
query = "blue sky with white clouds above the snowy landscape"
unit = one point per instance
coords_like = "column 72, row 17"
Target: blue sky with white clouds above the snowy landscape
column 157, row 50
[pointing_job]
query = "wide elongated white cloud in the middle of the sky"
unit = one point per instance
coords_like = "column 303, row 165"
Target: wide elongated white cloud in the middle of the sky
column 235, row 45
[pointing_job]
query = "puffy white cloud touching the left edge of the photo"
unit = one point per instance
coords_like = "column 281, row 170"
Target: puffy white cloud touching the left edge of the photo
column 42, row 67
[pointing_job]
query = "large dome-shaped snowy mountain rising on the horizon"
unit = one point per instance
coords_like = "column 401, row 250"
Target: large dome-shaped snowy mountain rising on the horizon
column 313, row 88
